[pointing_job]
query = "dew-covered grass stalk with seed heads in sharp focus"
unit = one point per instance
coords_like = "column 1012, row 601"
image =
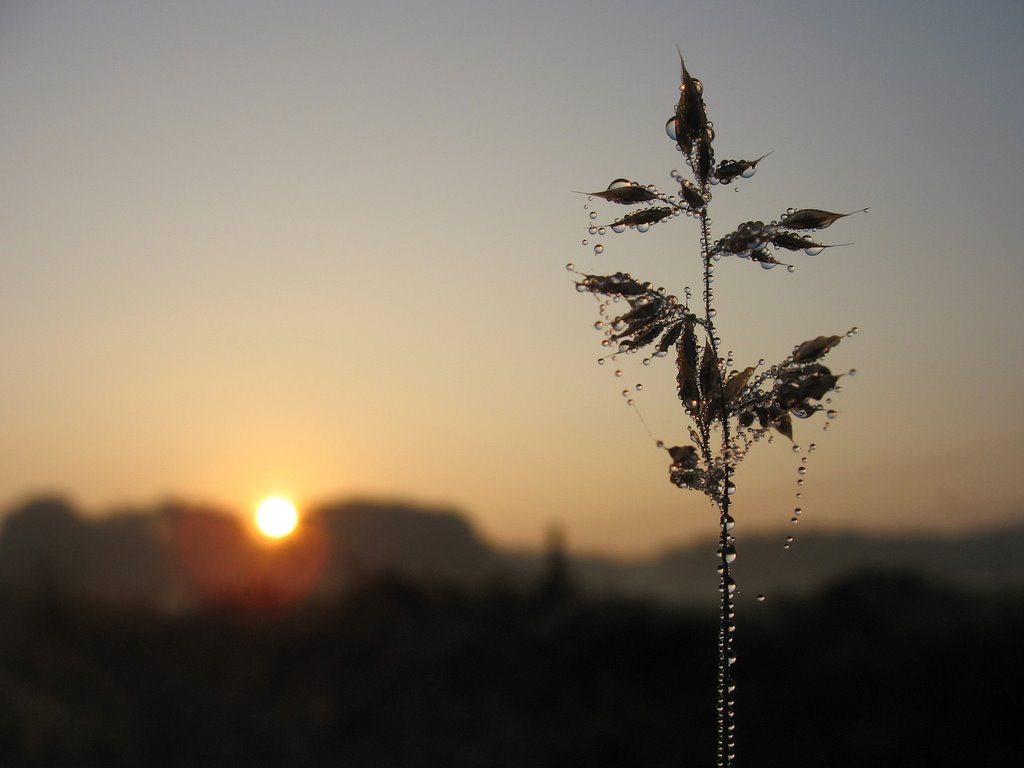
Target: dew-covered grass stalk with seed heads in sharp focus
column 741, row 406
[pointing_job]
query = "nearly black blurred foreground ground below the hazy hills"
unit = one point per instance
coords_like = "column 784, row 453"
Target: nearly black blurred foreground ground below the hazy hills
column 879, row 671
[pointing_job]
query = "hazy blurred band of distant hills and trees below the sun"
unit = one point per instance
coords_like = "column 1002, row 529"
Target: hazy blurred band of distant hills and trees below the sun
column 179, row 557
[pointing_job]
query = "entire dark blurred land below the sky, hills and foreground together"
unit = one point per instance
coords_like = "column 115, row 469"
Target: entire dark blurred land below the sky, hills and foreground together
column 391, row 635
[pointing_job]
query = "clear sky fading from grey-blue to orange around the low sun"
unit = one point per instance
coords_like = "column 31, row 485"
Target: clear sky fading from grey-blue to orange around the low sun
column 318, row 249
